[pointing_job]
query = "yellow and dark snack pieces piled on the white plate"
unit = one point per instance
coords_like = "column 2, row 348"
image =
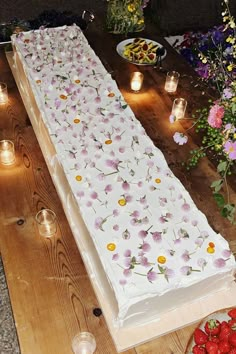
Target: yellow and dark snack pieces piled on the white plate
column 141, row 51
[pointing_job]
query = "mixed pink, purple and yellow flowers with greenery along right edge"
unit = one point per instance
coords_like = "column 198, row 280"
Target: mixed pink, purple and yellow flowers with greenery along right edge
column 213, row 55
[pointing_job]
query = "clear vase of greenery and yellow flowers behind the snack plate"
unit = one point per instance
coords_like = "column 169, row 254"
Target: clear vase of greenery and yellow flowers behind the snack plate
column 124, row 16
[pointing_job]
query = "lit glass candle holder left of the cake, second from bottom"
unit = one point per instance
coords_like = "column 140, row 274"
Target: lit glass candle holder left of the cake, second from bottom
column 46, row 222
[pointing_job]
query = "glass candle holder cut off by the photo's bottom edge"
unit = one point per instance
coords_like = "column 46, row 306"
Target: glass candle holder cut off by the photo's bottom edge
column 84, row 343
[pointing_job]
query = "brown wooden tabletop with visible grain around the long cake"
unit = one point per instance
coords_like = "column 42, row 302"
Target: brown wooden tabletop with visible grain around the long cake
column 51, row 295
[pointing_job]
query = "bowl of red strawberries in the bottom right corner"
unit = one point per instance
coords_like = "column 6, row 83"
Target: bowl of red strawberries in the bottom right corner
column 216, row 334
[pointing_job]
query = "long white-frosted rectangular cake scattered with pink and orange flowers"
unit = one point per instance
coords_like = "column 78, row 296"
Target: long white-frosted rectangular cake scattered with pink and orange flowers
column 150, row 247
